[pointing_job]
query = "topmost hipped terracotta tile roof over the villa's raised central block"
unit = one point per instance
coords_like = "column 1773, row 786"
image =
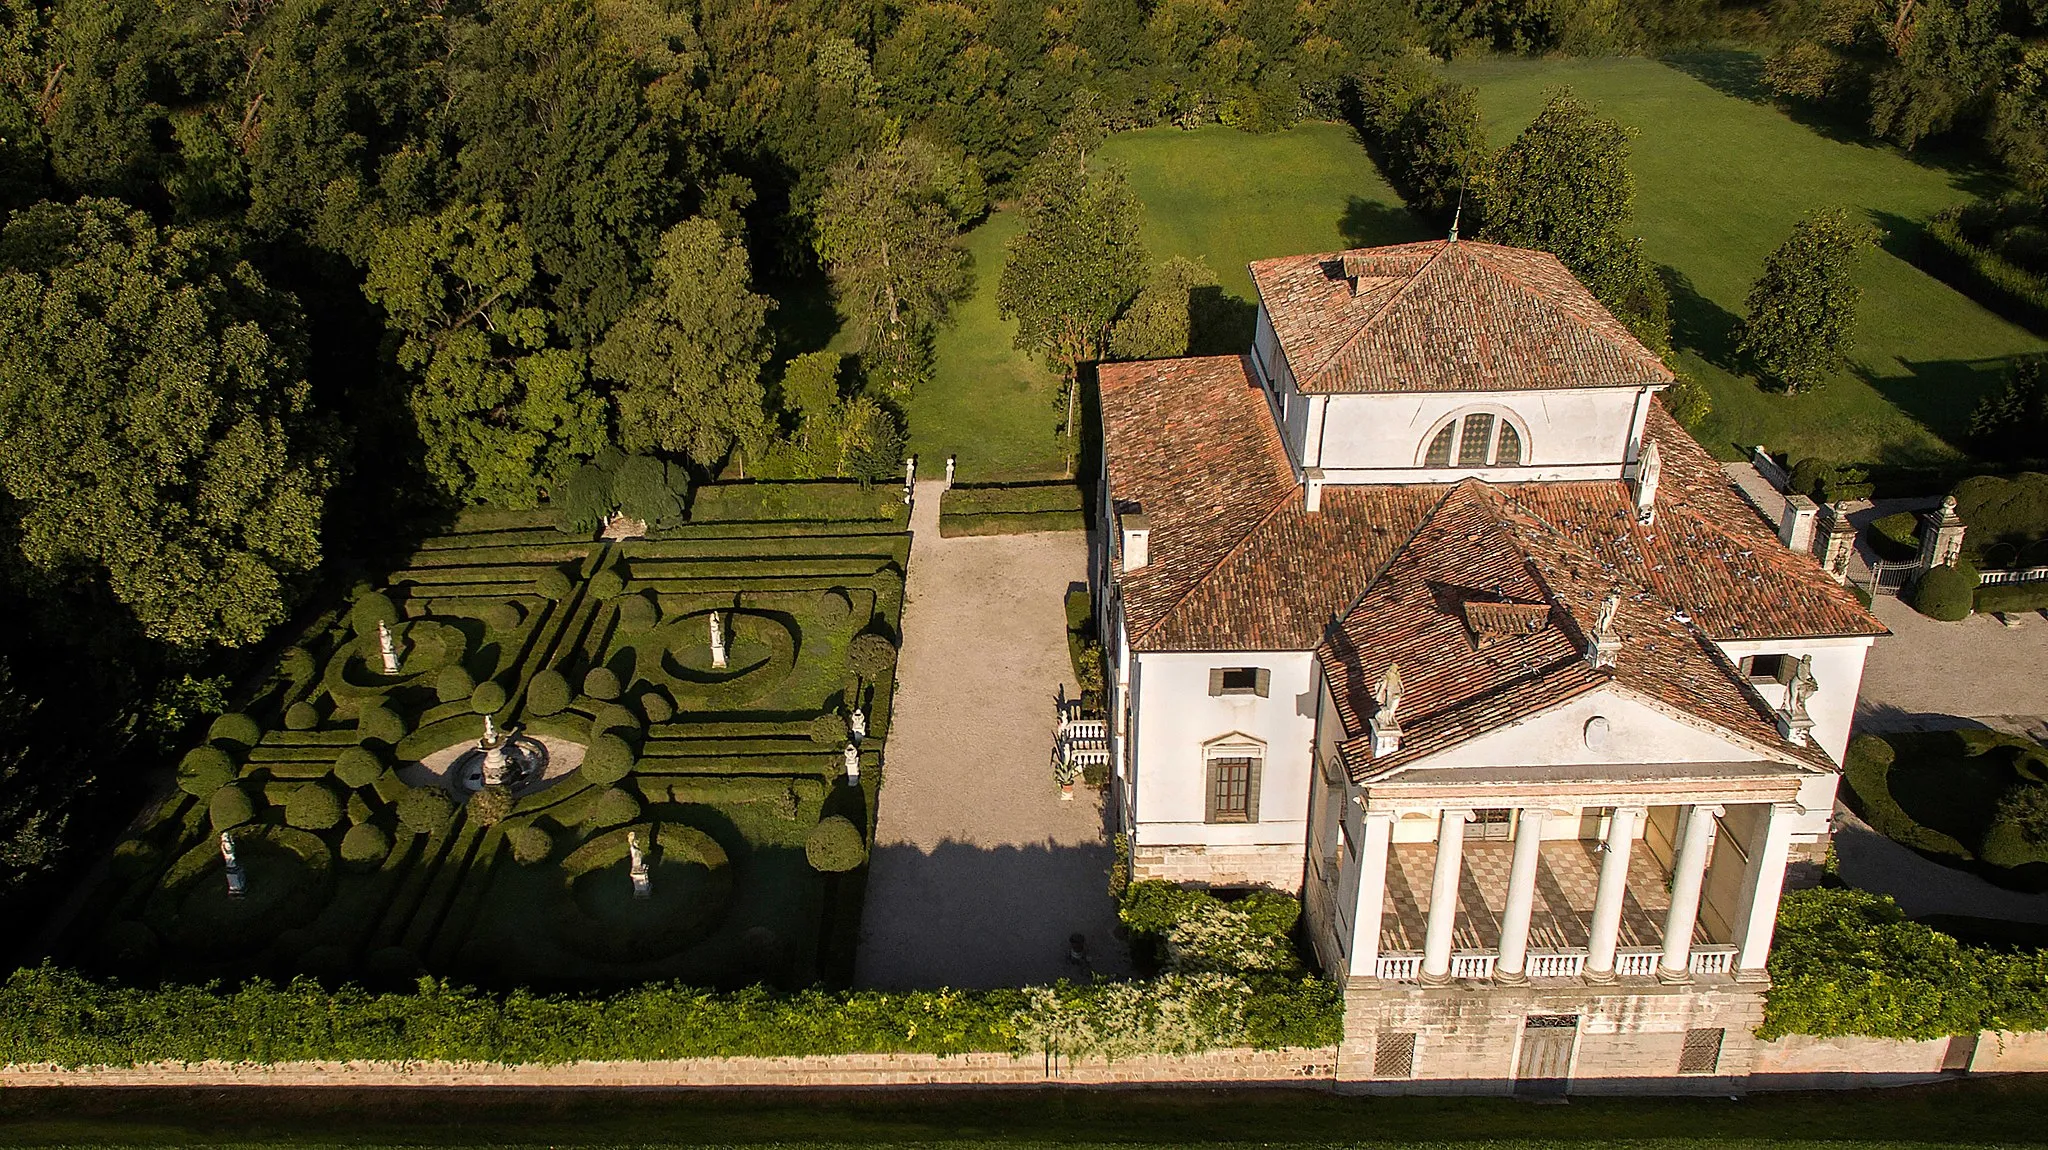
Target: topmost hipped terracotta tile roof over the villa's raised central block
column 1445, row 318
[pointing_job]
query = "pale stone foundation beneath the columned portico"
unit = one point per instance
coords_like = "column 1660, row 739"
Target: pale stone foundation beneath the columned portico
column 1467, row 1038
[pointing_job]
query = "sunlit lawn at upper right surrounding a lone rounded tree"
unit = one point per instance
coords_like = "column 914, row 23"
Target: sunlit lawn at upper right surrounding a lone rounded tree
column 1721, row 179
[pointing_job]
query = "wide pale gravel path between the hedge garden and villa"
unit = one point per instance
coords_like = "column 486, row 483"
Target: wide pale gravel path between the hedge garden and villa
column 980, row 871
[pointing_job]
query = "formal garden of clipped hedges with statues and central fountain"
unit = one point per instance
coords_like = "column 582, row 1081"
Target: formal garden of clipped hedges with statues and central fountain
column 454, row 770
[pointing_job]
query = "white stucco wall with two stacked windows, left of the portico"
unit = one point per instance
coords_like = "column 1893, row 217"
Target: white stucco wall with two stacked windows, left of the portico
column 1175, row 719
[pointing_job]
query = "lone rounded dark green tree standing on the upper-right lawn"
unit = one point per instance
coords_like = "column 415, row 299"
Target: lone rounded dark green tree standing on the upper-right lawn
column 1801, row 316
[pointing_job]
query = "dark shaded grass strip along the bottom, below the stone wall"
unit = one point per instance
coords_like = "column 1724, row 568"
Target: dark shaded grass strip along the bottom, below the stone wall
column 1988, row 1112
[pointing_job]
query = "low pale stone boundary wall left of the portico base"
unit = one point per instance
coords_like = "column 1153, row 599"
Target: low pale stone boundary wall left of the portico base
column 1314, row 1067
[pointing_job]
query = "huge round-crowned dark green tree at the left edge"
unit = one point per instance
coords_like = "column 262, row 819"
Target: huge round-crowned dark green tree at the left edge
column 157, row 423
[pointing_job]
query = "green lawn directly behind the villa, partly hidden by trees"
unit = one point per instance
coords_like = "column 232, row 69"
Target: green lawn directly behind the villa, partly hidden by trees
column 1218, row 193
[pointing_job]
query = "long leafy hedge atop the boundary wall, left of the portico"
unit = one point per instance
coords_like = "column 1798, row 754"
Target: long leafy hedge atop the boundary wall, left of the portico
column 52, row 1016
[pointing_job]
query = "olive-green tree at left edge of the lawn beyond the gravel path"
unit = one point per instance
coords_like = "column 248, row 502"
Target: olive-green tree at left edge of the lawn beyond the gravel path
column 888, row 230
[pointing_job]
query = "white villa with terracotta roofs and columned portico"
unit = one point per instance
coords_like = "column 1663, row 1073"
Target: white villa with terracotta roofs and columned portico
column 1428, row 611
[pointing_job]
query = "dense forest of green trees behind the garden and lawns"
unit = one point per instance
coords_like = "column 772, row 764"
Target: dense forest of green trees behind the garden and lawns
column 286, row 279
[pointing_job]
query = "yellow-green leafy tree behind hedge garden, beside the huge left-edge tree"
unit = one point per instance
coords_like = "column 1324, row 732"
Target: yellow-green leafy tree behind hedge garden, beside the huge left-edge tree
column 503, row 414
